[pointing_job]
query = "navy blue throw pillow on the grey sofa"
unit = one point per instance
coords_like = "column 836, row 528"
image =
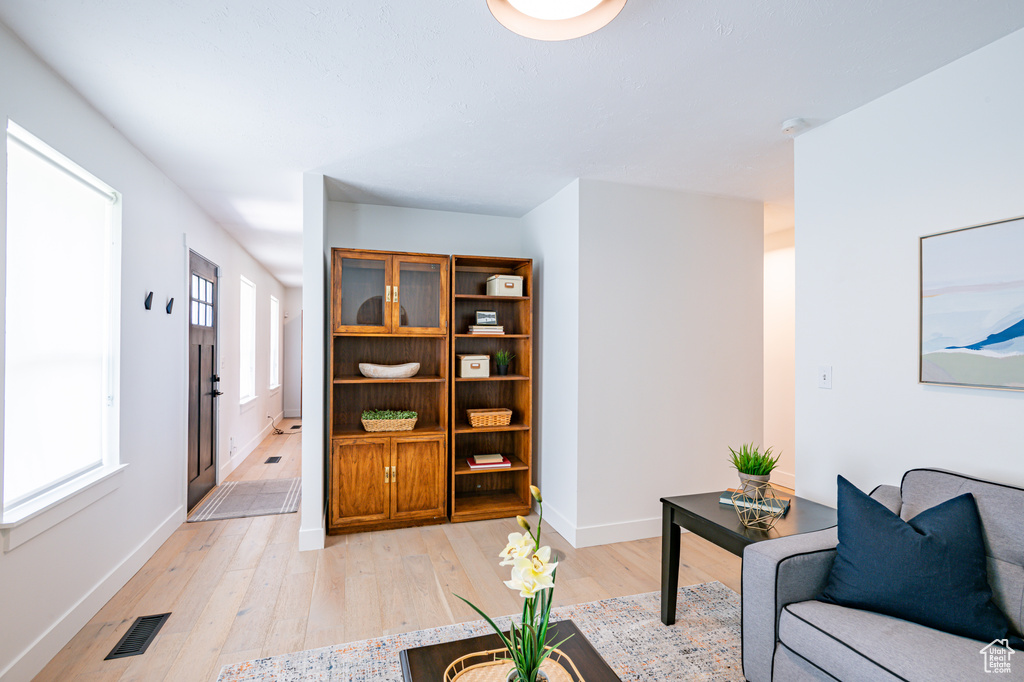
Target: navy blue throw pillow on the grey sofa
column 931, row 570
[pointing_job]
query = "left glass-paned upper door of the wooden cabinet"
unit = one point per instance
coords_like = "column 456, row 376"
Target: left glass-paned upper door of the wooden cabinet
column 362, row 292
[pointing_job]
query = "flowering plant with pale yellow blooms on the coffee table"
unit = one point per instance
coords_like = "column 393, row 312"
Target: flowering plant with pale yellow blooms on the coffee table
column 534, row 576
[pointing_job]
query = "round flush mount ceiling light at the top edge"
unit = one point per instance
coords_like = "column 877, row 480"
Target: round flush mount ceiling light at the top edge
column 554, row 20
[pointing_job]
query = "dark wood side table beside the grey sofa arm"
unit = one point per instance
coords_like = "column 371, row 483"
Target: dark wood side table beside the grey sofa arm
column 719, row 524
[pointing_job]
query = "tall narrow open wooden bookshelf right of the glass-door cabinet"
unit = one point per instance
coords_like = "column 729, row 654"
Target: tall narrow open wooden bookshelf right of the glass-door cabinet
column 487, row 494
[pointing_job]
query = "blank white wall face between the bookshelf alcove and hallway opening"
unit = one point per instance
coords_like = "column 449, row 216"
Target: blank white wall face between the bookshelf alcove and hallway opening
column 670, row 351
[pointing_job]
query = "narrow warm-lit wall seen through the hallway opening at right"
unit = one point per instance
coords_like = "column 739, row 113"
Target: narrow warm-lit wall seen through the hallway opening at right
column 780, row 353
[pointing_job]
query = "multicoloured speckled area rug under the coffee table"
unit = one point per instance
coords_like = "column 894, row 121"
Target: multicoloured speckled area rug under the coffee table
column 704, row 645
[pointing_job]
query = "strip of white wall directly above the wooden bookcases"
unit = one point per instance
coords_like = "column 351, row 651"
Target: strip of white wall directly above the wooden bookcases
column 446, row 233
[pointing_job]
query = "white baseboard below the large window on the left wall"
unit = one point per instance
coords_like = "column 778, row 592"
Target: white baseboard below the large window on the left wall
column 28, row 664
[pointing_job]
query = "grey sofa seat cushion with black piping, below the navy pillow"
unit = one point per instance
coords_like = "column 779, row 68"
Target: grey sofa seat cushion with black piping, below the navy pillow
column 855, row 645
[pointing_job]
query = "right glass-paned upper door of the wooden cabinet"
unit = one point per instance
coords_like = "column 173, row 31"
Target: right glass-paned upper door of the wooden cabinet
column 419, row 295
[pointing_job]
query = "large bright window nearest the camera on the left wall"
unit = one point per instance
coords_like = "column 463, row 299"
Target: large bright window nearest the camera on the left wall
column 63, row 325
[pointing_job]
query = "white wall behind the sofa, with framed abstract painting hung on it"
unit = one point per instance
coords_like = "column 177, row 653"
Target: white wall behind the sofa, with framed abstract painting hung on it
column 943, row 153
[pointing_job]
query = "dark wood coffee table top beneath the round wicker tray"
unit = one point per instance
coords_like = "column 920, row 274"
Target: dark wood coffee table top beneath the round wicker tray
column 428, row 664
